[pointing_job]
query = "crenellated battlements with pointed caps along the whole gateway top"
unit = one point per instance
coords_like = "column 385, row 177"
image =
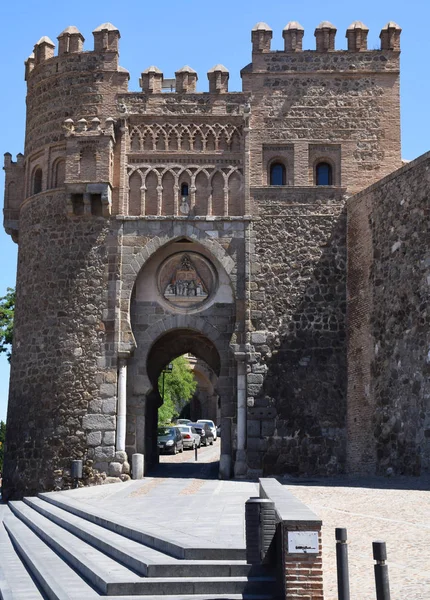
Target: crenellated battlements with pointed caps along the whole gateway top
column 104, row 56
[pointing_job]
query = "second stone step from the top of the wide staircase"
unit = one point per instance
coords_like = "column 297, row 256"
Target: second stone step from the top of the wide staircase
column 135, row 556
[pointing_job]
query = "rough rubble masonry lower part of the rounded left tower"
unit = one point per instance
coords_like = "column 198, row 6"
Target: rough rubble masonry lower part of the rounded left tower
column 63, row 371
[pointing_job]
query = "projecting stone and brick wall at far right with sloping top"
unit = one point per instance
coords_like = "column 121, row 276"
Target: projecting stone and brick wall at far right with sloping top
column 388, row 352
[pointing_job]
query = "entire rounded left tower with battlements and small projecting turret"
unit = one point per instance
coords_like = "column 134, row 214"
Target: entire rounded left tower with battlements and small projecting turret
column 66, row 182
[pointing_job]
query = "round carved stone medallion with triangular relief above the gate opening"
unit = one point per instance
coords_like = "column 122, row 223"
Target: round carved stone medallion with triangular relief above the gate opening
column 186, row 279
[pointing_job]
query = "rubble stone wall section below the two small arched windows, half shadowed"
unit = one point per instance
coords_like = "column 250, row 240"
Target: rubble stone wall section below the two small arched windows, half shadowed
column 297, row 374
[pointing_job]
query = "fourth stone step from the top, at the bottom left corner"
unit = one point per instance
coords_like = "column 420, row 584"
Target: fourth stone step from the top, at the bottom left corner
column 54, row 577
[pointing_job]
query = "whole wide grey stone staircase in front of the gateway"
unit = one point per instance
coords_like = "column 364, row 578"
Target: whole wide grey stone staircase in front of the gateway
column 51, row 546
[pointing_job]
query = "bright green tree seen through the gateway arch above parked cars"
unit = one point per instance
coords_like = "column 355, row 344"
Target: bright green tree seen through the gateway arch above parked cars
column 179, row 387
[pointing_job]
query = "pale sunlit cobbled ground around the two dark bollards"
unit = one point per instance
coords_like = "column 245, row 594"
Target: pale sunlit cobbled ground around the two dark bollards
column 396, row 511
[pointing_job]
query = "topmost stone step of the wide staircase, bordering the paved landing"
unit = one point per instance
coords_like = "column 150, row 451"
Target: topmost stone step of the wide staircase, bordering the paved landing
column 185, row 549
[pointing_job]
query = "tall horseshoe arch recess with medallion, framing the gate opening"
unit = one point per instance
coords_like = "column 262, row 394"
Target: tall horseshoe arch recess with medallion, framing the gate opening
column 182, row 302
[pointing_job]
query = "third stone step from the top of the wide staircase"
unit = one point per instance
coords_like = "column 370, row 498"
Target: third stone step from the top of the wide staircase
column 111, row 578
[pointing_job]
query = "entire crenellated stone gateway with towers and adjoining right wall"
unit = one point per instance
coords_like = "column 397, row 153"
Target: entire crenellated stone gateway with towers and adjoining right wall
column 232, row 226
